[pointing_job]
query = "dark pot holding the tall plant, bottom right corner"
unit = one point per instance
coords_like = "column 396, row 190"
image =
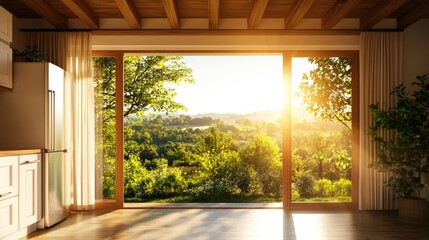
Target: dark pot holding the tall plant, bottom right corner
column 413, row 210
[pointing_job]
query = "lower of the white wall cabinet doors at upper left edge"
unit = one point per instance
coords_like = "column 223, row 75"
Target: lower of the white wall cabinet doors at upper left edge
column 5, row 66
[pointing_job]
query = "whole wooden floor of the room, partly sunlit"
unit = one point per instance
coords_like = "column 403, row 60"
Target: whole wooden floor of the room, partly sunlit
column 248, row 224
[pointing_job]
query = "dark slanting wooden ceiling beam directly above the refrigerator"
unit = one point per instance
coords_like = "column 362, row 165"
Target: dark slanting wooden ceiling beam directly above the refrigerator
column 47, row 12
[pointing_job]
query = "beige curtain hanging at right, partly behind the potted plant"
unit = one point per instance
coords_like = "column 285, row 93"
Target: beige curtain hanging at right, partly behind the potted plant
column 381, row 70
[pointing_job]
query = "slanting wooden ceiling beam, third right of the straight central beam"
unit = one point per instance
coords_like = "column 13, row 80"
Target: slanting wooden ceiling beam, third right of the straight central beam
column 338, row 12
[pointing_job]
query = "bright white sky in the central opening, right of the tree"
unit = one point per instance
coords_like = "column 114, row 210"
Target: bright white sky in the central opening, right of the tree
column 233, row 84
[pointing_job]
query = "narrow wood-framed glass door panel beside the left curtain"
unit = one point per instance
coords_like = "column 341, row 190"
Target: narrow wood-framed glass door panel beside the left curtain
column 107, row 76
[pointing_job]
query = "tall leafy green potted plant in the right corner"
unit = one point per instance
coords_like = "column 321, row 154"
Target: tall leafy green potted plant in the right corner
column 403, row 152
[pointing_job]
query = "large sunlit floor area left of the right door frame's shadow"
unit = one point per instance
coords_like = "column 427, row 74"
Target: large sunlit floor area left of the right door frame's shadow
column 172, row 224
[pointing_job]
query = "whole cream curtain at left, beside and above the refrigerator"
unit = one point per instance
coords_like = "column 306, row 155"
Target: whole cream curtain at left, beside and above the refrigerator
column 72, row 52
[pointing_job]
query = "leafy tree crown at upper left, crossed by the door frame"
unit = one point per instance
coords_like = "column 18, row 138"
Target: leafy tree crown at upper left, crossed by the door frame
column 148, row 83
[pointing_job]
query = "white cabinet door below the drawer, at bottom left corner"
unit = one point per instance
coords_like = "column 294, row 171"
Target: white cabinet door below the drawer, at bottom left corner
column 8, row 216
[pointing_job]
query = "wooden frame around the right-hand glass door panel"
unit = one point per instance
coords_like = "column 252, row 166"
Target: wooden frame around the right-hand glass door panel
column 287, row 138
